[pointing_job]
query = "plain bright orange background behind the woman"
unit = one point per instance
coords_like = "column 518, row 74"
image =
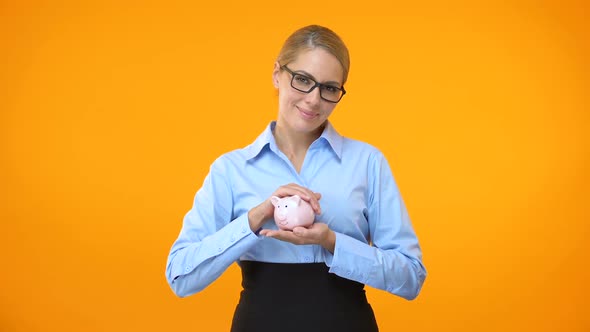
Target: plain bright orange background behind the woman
column 110, row 115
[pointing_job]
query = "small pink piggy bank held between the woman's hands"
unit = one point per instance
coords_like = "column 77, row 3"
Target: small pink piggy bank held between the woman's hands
column 292, row 211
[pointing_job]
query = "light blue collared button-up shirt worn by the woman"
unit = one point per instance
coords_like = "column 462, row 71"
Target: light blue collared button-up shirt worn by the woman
column 361, row 203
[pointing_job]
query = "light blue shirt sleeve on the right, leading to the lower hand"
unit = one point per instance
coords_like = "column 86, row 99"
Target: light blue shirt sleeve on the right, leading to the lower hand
column 394, row 261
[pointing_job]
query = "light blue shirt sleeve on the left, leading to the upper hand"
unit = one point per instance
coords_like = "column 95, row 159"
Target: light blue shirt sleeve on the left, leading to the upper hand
column 209, row 241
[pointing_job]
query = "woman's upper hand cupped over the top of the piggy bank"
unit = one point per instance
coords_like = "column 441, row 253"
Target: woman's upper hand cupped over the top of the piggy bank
column 258, row 215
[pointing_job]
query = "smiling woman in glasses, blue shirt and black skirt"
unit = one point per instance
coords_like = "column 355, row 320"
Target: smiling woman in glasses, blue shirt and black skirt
column 361, row 235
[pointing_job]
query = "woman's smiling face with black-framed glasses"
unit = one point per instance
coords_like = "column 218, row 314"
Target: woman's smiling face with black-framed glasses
column 306, row 112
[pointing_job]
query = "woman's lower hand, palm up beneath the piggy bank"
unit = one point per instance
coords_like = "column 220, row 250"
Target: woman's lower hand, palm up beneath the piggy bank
column 317, row 233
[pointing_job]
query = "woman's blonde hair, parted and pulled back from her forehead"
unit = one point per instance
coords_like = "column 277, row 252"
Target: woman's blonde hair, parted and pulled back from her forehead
column 311, row 37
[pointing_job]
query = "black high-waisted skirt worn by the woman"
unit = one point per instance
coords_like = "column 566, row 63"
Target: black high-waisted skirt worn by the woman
column 300, row 297
